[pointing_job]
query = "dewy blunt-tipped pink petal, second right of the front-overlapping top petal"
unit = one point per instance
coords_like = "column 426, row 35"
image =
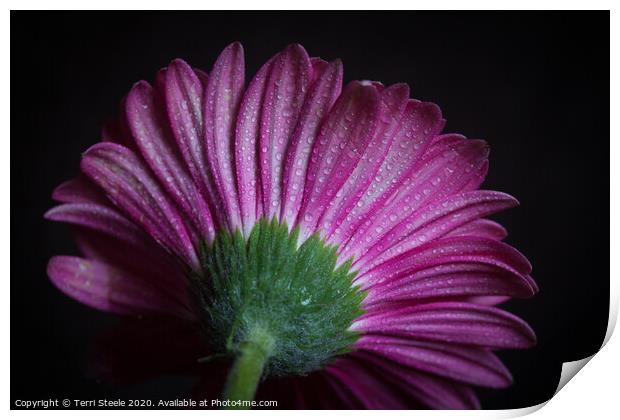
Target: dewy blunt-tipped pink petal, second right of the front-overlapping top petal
column 419, row 123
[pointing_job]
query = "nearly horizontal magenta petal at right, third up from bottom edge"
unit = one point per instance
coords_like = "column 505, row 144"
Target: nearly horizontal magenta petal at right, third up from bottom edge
column 451, row 322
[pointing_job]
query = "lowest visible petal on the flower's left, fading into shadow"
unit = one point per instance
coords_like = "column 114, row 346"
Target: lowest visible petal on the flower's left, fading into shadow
column 107, row 288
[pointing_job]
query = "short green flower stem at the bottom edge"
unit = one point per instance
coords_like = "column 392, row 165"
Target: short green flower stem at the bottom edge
column 248, row 368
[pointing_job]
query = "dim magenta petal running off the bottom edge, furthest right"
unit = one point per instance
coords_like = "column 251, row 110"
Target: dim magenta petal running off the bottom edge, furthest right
column 429, row 390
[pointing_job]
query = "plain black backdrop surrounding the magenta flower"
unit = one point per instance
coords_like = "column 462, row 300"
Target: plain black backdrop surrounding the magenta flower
column 534, row 85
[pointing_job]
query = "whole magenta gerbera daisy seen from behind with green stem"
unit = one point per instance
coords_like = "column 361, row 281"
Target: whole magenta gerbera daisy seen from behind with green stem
column 312, row 235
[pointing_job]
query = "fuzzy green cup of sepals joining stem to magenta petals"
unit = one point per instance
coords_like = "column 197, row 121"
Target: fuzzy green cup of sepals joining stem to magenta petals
column 273, row 302
